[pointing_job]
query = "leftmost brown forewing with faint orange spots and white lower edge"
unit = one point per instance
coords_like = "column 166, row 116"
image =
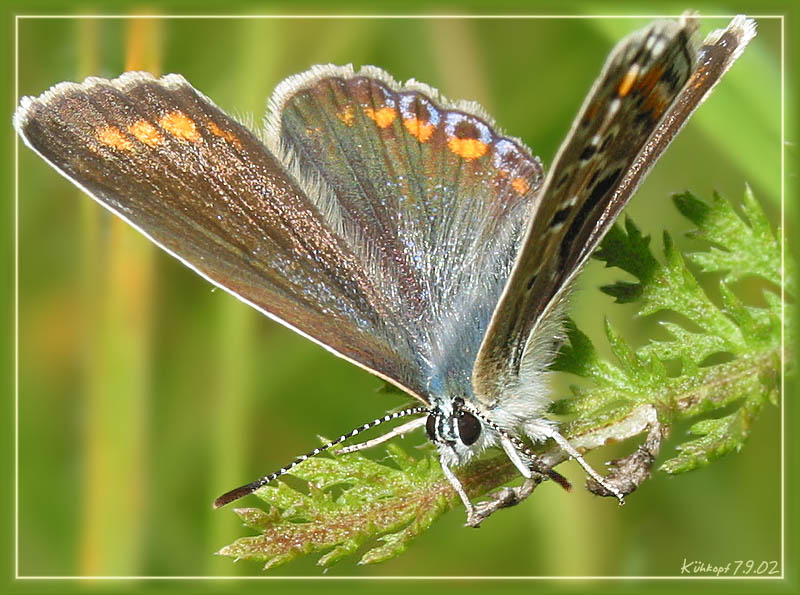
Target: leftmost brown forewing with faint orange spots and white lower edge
column 205, row 188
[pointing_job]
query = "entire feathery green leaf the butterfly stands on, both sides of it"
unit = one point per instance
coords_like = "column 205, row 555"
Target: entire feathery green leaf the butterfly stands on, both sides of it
column 352, row 503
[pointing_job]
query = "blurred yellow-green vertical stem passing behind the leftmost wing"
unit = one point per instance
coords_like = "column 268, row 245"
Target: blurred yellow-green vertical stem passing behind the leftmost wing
column 118, row 272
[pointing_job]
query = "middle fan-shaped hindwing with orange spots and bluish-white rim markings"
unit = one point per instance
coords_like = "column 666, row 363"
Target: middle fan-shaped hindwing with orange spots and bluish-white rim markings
column 430, row 196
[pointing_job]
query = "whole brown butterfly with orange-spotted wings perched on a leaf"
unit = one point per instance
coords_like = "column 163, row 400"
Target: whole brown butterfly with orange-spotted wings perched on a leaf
column 401, row 231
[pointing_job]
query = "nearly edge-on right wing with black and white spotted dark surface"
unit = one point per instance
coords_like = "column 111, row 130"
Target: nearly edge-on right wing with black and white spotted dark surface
column 651, row 83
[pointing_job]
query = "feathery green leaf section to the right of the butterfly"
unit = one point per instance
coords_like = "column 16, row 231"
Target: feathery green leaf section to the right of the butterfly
column 750, row 336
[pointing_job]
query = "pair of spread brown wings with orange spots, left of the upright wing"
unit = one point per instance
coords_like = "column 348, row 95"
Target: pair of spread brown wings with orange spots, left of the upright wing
column 361, row 228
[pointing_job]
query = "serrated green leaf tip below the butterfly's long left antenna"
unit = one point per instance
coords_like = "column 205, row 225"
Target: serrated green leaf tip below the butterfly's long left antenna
column 375, row 499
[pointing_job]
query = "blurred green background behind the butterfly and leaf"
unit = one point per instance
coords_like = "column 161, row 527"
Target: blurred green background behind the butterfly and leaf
column 144, row 393
